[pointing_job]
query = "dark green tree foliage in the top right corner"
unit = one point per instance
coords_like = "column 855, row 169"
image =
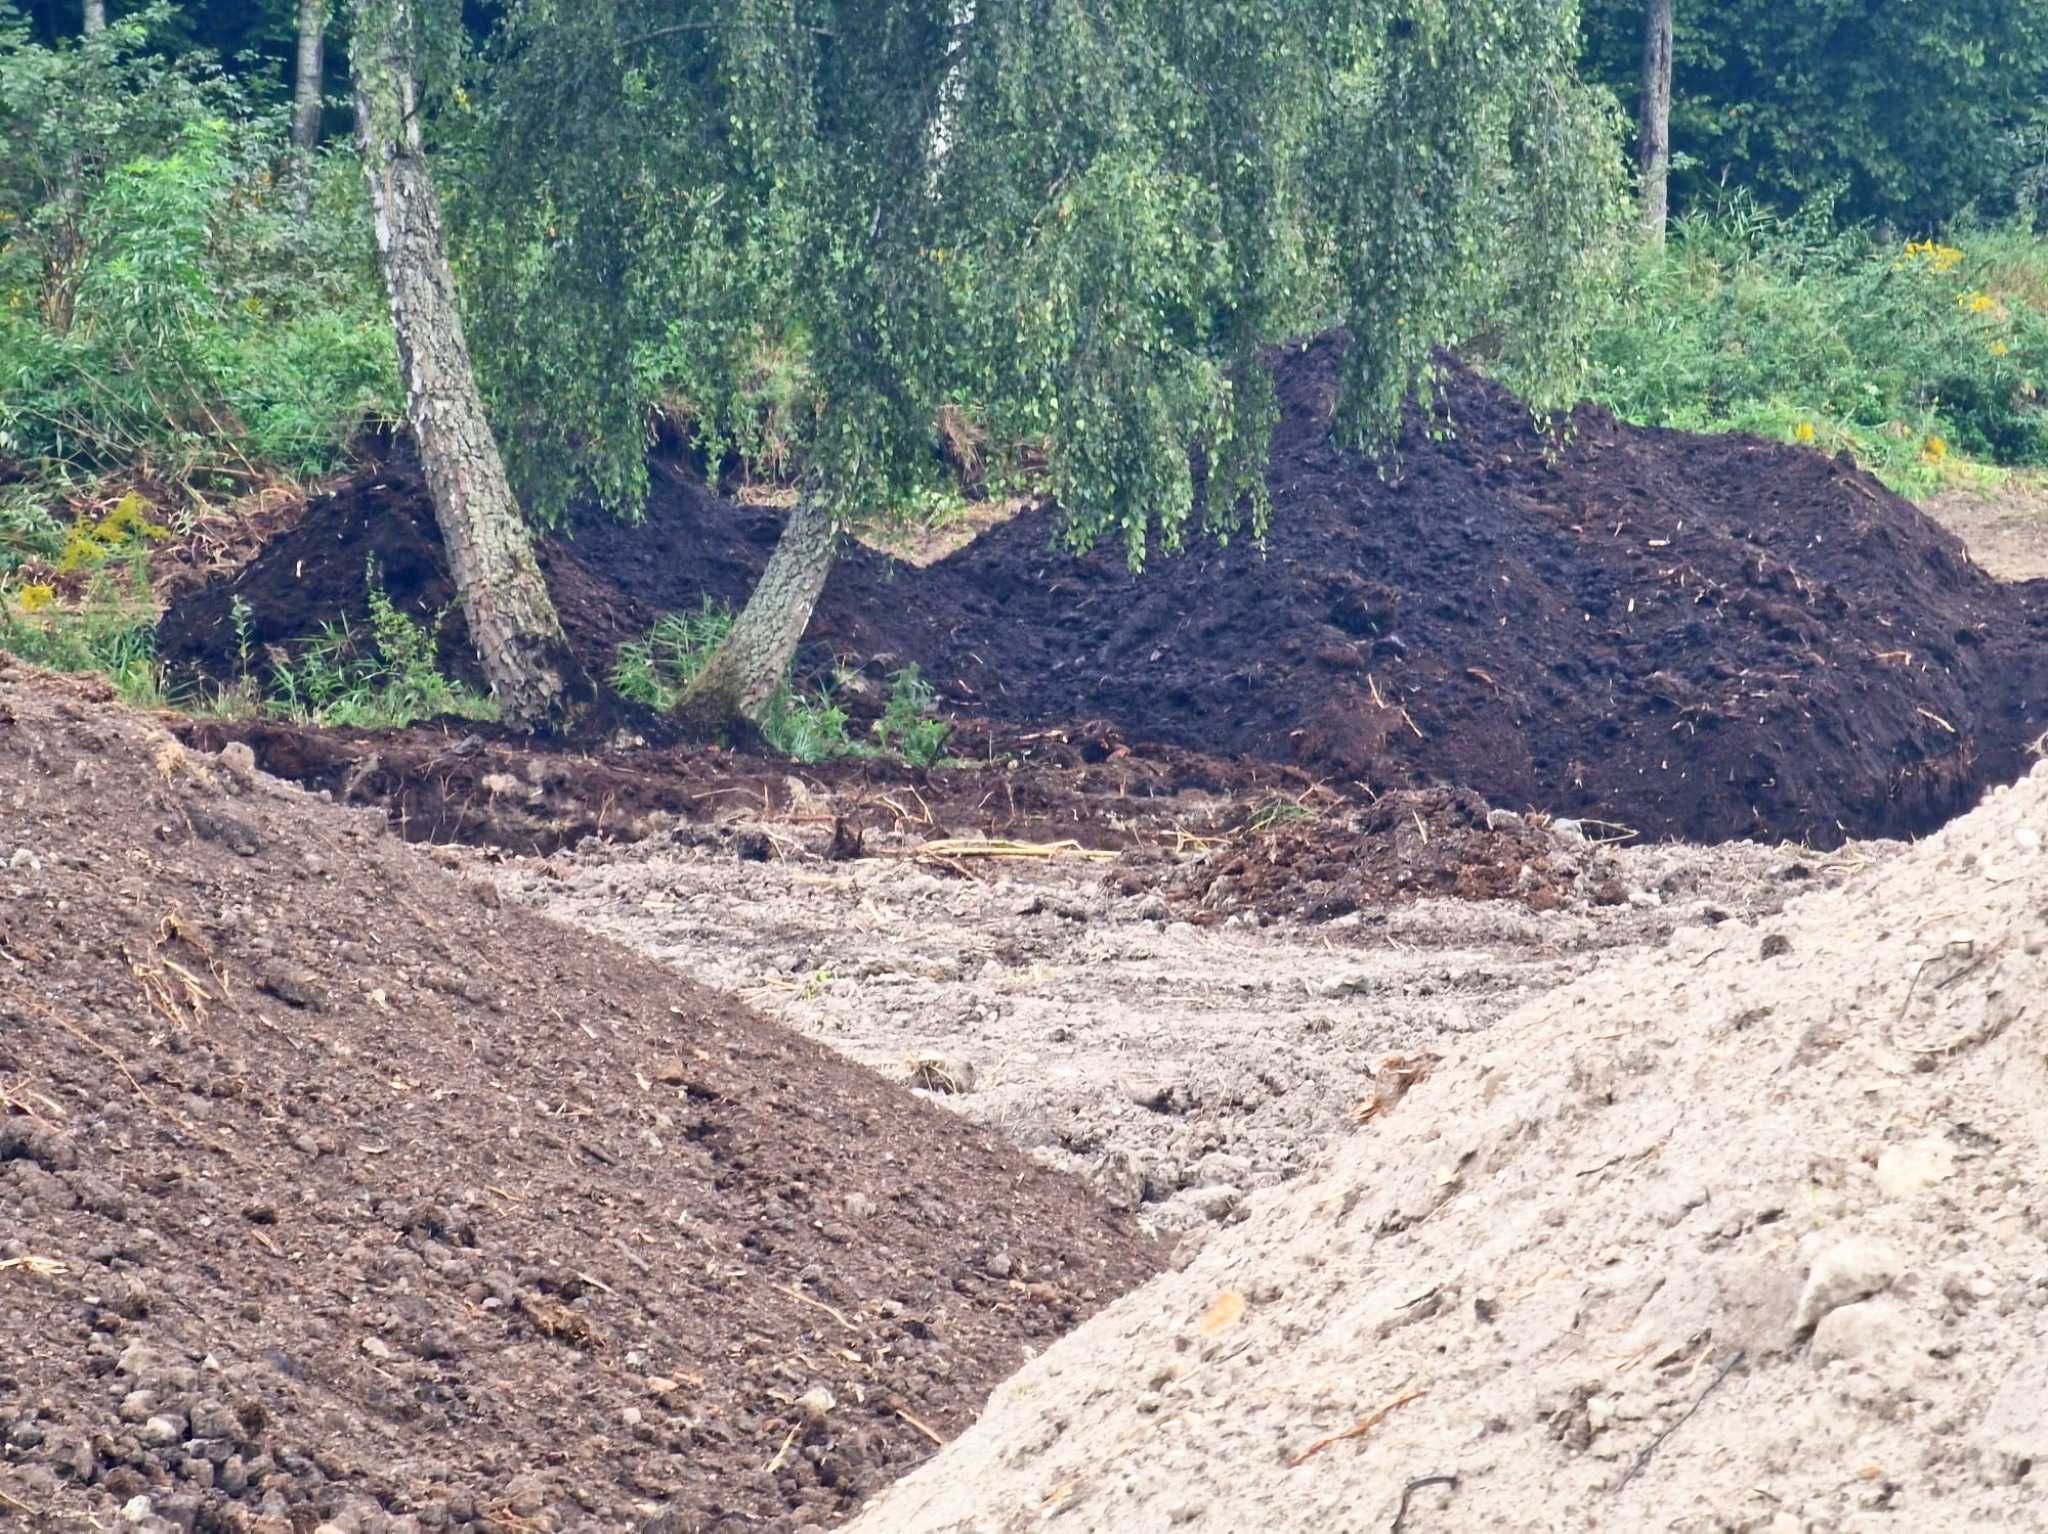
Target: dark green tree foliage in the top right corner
column 1912, row 112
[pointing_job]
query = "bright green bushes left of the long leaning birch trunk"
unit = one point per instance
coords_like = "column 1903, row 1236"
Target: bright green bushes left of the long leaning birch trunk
column 169, row 300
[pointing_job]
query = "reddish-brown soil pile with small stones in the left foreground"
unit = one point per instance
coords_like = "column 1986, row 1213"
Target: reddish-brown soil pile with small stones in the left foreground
column 333, row 1191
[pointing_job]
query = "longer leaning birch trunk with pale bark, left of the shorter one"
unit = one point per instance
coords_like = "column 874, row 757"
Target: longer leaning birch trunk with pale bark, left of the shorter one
column 490, row 554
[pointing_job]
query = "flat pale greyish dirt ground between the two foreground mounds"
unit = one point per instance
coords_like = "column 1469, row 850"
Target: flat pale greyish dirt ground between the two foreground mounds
column 1179, row 1066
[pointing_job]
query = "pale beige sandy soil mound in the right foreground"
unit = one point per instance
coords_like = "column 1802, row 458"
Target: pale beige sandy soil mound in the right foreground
column 1746, row 1238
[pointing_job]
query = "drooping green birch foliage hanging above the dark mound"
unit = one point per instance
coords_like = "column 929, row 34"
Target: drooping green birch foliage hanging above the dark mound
column 1074, row 222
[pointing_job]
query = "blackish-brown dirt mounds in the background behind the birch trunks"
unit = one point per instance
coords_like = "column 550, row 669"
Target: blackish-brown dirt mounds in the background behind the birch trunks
column 1695, row 636
